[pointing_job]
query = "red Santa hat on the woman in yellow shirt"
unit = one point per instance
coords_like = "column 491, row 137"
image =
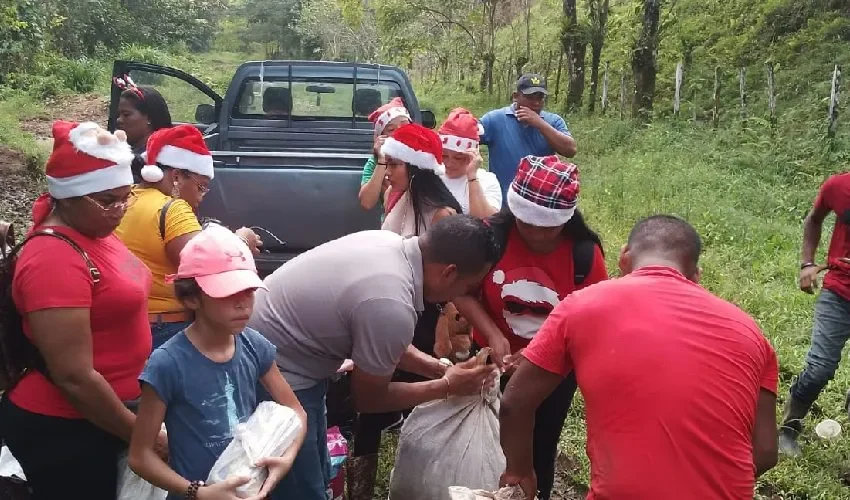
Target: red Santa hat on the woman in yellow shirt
column 181, row 147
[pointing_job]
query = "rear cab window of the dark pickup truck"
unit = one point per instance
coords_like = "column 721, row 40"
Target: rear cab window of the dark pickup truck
column 312, row 99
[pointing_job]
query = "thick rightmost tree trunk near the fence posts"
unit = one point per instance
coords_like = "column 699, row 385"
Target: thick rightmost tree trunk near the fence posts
column 644, row 61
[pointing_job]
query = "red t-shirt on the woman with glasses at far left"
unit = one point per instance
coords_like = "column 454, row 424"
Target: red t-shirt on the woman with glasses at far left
column 51, row 274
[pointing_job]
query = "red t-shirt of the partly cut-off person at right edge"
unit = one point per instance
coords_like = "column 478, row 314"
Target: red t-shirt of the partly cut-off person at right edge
column 834, row 196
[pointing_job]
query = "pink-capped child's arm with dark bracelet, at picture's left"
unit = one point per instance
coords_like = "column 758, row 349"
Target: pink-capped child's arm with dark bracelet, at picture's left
column 145, row 462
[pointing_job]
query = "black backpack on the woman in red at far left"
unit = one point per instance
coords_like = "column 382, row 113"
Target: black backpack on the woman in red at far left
column 17, row 353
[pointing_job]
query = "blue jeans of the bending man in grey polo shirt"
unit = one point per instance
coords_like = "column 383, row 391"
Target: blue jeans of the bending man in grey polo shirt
column 311, row 473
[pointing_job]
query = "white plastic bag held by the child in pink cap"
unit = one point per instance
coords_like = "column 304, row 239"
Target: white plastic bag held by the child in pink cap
column 267, row 433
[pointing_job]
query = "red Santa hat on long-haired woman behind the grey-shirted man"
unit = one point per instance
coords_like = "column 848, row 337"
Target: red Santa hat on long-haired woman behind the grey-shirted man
column 416, row 145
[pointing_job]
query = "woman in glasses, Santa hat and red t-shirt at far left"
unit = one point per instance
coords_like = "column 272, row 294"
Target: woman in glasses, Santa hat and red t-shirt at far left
column 76, row 336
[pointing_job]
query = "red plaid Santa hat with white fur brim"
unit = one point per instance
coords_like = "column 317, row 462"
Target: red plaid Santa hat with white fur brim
column 544, row 191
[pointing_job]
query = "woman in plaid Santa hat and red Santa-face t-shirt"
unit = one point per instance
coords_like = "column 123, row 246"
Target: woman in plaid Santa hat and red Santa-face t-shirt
column 548, row 252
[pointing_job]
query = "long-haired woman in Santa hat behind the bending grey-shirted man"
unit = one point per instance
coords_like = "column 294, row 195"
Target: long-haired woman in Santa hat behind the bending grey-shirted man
column 414, row 156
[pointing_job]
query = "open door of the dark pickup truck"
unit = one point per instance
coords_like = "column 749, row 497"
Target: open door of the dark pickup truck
column 189, row 99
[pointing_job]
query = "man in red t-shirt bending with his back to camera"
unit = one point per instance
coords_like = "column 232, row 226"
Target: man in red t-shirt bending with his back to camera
column 679, row 385
